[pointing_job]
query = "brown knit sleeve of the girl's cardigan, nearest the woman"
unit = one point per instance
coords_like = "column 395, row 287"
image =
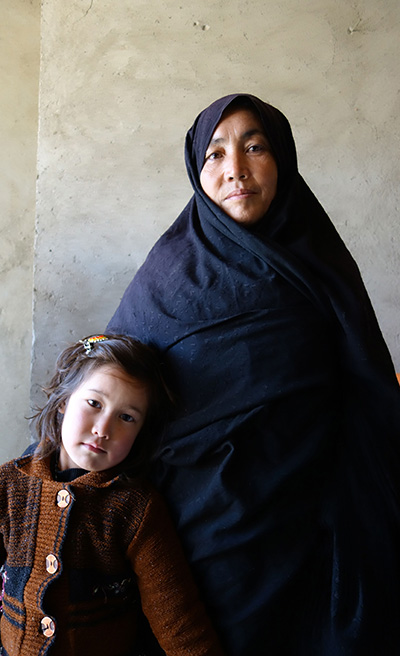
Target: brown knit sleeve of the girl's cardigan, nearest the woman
column 168, row 593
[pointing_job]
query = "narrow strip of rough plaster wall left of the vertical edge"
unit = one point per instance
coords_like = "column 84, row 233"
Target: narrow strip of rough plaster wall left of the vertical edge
column 19, row 85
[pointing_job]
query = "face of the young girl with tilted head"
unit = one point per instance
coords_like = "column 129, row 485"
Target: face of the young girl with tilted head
column 102, row 419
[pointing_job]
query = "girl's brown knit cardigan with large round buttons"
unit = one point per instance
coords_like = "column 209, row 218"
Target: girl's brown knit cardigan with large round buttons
column 77, row 558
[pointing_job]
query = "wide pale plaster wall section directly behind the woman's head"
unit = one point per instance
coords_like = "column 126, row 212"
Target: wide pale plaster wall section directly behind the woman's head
column 120, row 84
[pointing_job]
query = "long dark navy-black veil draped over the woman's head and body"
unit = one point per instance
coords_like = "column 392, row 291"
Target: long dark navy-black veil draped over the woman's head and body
column 282, row 468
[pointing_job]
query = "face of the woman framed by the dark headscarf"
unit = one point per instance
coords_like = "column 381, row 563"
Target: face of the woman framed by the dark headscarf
column 240, row 173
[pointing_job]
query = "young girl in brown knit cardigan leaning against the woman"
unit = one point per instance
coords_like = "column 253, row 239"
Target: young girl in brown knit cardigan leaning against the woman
column 85, row 541
